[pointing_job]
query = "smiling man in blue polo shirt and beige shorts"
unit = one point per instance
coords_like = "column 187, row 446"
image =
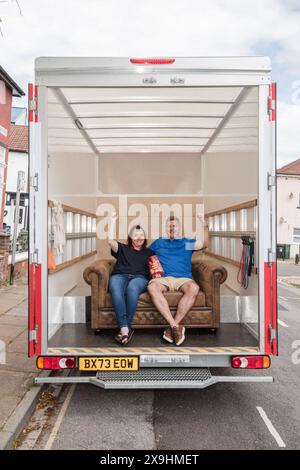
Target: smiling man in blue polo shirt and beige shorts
column 175, row 256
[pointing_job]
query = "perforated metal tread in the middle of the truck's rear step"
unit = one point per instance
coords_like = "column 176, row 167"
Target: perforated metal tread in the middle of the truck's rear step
column 161, row 374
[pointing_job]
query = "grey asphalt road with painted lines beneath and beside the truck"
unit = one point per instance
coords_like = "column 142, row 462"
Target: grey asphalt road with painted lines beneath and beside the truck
column 223, row 416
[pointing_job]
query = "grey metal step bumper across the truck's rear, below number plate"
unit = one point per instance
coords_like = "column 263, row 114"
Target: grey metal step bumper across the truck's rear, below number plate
column 155, row 378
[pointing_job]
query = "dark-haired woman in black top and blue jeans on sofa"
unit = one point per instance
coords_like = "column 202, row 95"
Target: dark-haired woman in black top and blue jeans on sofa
column 129, row 278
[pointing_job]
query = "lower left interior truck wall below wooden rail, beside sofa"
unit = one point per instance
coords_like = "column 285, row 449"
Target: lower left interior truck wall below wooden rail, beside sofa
column 61, row 309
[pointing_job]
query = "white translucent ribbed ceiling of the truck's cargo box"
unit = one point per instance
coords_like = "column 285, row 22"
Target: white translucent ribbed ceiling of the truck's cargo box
column 145, row 119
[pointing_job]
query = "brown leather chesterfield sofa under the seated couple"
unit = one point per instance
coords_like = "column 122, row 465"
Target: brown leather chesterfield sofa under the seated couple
column 205, row 313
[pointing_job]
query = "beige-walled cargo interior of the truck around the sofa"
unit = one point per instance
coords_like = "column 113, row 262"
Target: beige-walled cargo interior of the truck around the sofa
column 186, row 147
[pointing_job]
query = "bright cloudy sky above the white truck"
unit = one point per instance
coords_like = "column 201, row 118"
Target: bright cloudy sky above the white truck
column 145, row 28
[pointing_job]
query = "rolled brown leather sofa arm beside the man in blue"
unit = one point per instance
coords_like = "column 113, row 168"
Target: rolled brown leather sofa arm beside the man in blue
column 209, row 275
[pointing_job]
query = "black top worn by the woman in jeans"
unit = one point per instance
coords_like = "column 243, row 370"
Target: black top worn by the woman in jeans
column 131, row 261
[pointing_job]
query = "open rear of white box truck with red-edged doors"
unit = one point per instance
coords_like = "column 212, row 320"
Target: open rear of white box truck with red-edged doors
column 162, row 132
